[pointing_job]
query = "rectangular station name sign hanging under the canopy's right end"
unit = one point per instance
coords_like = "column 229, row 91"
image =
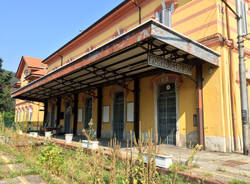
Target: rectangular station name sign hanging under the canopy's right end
column 168, row 64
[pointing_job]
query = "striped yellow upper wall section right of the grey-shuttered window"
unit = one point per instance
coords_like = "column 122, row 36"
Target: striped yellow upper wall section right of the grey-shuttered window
column 196, row 19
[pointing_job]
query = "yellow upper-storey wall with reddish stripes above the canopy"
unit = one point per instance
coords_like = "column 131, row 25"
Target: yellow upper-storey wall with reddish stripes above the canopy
column 183, row 16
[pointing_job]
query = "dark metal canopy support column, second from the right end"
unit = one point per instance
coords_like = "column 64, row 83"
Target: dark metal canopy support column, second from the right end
column 136, row 107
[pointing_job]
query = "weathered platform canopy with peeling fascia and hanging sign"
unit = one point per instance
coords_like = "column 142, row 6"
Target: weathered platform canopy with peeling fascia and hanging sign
column 148, row 48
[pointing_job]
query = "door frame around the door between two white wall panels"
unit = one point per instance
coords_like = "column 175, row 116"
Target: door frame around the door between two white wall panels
column 112, row 114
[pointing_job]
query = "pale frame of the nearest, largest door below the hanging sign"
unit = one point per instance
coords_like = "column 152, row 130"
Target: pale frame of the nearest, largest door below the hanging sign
column 156, row 95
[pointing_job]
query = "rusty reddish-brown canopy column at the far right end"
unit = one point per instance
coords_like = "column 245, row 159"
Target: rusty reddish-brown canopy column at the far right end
column 199, row 102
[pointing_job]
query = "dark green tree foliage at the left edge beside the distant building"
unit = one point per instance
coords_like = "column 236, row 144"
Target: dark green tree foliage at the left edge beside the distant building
column 7, row 104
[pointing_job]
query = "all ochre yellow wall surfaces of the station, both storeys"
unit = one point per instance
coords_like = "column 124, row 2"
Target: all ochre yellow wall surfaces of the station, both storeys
column 196, row 19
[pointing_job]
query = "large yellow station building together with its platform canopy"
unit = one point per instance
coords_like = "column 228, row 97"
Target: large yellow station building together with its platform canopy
column 166, row 67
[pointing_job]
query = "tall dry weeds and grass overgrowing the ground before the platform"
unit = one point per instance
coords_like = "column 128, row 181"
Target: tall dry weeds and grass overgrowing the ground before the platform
column 56, row 164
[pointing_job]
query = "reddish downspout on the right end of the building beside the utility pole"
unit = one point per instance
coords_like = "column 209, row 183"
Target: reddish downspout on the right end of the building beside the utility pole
column 232, row 92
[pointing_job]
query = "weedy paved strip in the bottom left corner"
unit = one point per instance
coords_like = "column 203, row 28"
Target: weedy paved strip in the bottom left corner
column 9, row 166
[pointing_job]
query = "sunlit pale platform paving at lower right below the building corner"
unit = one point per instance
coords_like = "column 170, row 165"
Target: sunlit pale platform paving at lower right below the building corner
column 217, row 165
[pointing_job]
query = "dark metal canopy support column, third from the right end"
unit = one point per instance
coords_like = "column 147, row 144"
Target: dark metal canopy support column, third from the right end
column 99, row 112
